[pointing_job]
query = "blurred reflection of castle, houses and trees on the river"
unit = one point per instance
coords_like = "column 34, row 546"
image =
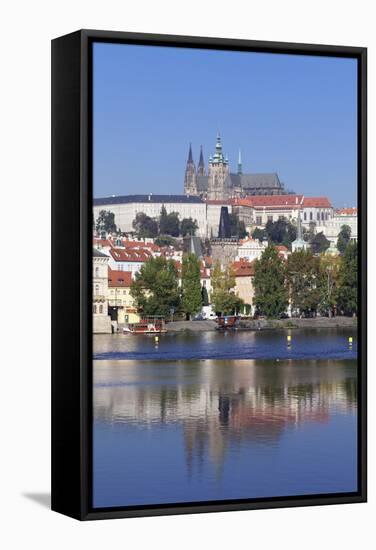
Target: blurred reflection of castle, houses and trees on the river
column 225, row 404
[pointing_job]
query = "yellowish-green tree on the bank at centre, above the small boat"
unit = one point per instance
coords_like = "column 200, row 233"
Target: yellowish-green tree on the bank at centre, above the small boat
column 223, row 296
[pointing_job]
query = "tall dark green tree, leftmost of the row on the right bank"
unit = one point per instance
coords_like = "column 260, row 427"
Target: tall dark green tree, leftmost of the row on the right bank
column 271, row 297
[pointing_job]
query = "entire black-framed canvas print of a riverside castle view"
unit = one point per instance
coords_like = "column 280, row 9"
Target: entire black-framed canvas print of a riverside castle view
column 208, row 274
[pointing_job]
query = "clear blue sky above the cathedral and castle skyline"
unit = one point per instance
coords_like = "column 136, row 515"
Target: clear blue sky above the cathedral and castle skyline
column 294, row 115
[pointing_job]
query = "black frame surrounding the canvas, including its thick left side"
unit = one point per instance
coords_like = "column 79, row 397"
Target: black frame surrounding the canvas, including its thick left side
column 71, row 271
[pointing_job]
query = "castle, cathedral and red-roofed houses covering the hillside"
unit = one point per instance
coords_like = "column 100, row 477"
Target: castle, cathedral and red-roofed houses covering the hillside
column 213, row 199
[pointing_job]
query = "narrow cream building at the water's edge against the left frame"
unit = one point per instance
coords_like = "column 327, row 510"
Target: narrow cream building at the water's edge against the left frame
column 101, row 319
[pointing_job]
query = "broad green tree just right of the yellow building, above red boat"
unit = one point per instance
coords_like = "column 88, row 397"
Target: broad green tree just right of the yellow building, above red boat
column 155, row 288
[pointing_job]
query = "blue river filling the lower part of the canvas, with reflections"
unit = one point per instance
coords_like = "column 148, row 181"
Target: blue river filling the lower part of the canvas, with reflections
column 219, row 416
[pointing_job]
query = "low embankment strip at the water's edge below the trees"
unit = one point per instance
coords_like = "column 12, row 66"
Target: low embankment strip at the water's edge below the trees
column 266, row 324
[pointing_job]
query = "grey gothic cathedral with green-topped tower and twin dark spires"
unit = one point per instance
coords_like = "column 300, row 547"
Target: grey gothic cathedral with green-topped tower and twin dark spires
column 218, row 183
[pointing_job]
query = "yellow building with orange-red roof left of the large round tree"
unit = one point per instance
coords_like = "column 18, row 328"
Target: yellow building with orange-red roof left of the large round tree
column 121, row 305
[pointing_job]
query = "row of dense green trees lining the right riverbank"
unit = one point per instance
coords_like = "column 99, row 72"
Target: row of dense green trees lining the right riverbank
column 311, row 284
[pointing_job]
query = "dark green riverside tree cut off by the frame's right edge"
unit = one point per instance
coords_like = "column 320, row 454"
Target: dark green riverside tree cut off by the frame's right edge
column 347, row 297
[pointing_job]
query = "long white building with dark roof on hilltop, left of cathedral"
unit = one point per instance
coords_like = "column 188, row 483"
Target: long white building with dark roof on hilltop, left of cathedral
column 127, row 207
